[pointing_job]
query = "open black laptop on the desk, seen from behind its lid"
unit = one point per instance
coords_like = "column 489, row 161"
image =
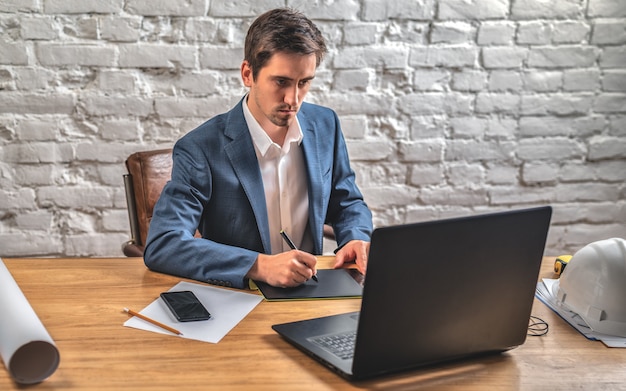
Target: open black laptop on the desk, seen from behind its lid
column 435, row 292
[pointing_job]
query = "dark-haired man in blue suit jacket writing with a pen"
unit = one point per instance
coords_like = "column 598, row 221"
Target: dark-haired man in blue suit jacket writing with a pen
column 271, row 163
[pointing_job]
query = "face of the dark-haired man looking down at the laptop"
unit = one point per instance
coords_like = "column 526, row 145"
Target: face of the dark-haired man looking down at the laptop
column 279, row 89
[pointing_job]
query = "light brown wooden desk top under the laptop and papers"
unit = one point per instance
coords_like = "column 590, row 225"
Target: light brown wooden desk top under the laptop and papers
column 80, row 302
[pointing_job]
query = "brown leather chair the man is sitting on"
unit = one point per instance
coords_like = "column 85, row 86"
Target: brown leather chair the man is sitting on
column 148, row 172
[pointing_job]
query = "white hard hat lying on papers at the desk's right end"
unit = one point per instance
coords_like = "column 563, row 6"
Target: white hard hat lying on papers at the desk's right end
column 594, row 286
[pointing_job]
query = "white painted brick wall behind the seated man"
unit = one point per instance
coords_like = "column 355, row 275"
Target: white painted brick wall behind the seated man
column 450, row 107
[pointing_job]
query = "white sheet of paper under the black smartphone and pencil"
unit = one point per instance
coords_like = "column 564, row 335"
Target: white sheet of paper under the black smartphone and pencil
column 227, row 308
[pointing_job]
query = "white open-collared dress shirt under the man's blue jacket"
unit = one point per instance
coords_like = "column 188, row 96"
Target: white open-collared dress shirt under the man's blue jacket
column 284, row 183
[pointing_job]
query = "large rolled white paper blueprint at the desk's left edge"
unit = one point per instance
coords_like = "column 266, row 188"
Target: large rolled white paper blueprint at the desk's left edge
column 28, row 351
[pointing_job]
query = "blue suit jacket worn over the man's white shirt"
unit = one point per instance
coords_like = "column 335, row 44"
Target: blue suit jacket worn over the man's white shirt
column 217, row 188
